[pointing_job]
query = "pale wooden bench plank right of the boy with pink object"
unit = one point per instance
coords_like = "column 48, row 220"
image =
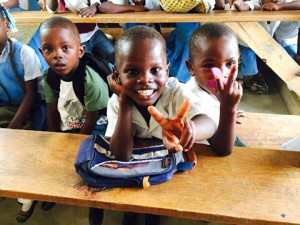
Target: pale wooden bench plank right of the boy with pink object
column 260, row 130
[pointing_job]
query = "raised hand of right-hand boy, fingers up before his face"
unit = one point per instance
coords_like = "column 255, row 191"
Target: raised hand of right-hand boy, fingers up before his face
column 229, row 94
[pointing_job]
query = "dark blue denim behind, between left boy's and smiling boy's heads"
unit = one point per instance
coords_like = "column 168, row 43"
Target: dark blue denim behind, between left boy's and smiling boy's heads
column 99, row 45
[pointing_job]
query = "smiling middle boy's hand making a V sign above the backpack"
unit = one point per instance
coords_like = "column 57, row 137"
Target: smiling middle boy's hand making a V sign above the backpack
column 178, row 132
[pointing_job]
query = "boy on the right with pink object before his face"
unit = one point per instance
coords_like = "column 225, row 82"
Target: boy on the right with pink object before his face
column 216, row 45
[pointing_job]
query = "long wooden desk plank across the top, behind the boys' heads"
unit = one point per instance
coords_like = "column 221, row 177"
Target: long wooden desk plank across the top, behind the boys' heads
column 164, row 17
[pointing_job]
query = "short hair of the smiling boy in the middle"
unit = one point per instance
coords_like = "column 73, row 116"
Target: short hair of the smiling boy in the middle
column 138, row 33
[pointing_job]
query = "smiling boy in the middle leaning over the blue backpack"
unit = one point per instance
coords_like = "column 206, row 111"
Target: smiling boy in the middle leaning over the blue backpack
column 142, row 80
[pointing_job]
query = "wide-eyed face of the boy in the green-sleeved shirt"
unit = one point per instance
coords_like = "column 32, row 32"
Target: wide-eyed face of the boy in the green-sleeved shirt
column 61, row 49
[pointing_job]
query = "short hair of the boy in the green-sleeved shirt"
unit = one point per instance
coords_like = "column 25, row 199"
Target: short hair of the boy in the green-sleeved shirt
column 59, row 21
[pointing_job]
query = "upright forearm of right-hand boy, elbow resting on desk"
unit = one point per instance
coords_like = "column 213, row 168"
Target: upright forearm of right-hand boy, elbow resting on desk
column 223, row 140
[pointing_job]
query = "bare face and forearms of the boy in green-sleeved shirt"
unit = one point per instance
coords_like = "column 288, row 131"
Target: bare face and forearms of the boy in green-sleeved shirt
column 62, row 54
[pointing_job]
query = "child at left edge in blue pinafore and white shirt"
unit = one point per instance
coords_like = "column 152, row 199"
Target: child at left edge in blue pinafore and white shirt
column 21, row 90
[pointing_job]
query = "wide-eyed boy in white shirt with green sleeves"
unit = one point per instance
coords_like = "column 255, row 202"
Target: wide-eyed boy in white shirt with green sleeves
column 70, row 108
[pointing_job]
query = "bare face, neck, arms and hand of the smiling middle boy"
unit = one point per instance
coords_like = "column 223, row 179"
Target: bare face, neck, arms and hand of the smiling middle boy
column 142, row 70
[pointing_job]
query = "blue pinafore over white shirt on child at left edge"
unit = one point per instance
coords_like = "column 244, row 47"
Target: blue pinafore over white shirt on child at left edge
column 8, row 80
